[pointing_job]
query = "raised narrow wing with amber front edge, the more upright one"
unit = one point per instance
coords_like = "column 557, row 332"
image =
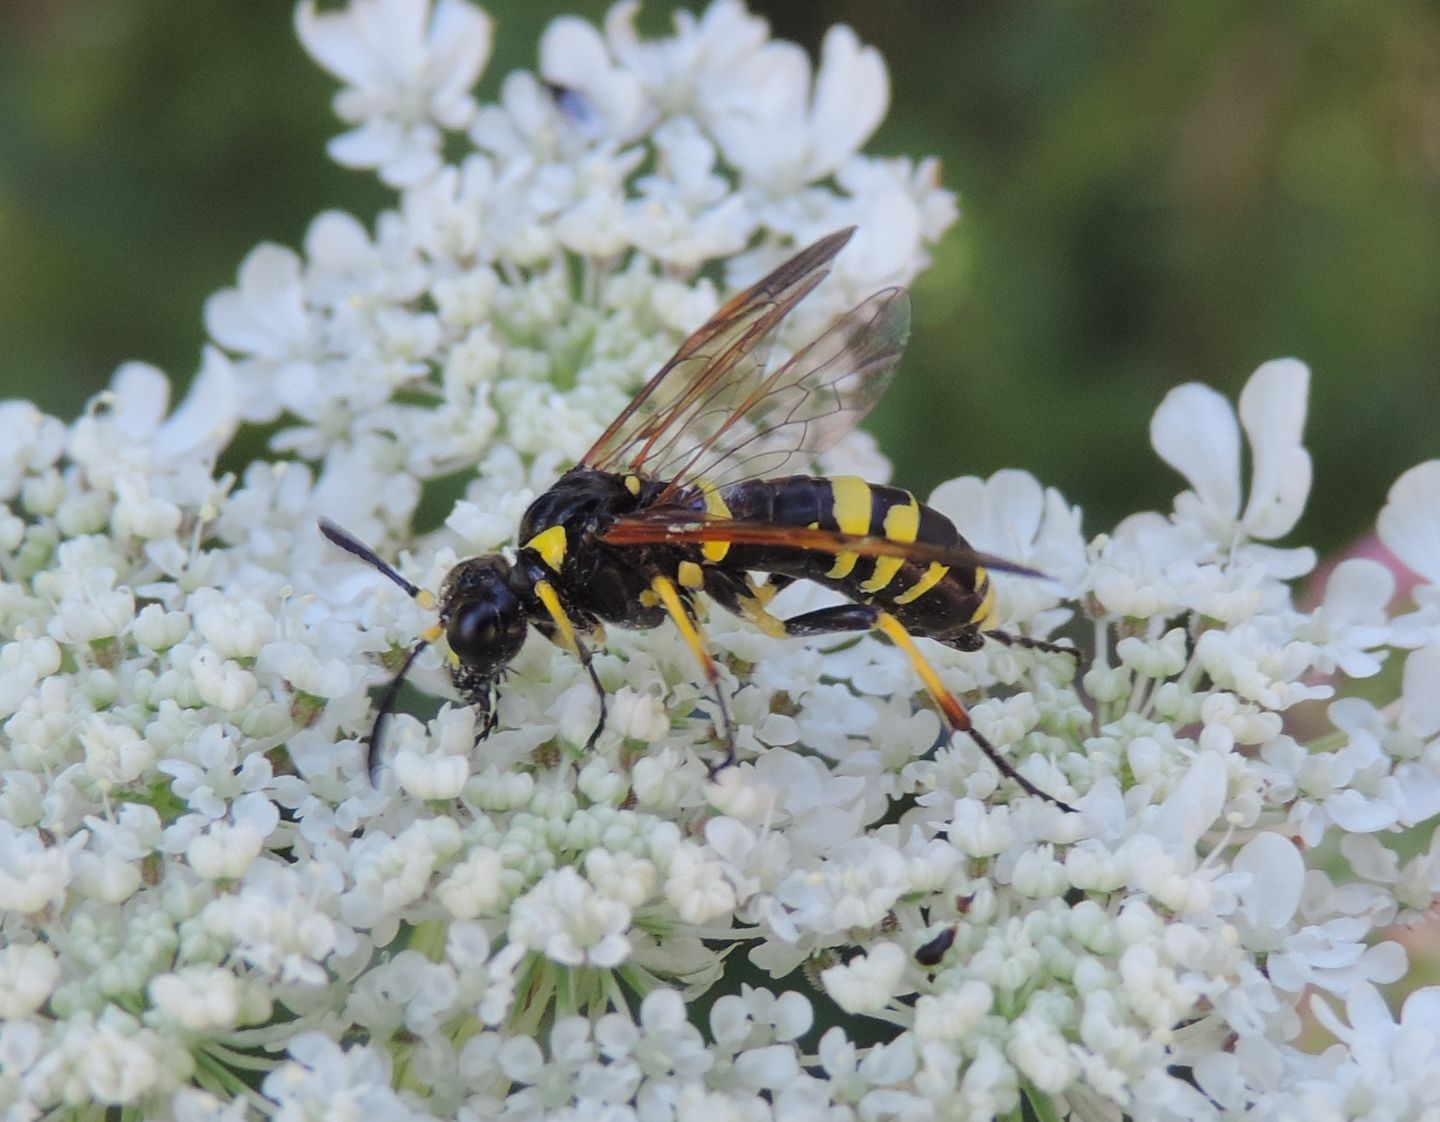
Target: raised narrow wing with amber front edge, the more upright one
column 719, row 362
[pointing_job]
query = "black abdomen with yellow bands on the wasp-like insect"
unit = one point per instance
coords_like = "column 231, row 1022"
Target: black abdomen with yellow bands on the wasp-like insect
column 928, row 598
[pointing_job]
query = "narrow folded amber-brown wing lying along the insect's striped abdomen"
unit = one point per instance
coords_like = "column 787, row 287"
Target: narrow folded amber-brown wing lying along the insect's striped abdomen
column 676, row 526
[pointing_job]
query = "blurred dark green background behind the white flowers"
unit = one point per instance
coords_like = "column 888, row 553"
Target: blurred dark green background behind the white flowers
column 1151, row 194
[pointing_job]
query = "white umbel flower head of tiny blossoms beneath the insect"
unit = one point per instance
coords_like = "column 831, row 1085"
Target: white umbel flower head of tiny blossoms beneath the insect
column 210, row 912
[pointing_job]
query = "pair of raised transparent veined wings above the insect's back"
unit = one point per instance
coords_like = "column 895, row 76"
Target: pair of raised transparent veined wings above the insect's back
column 716, row 413
